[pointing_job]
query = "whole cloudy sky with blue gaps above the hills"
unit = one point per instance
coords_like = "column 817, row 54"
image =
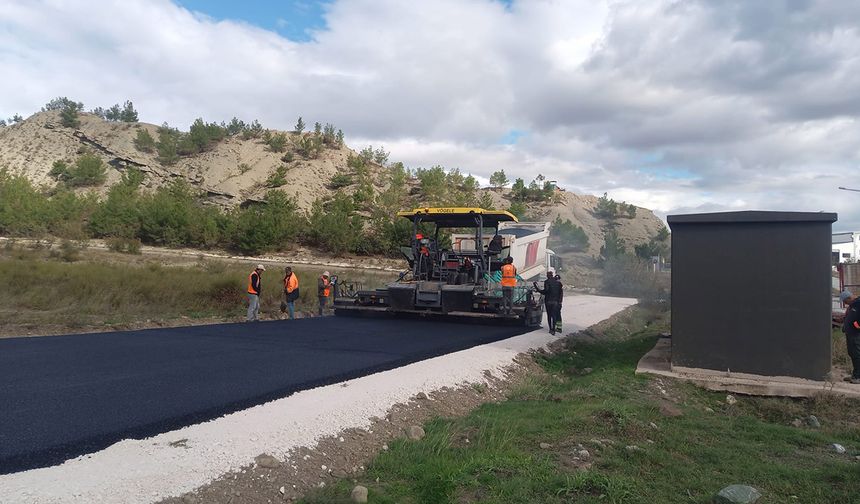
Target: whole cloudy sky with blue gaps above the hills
column 675, row 105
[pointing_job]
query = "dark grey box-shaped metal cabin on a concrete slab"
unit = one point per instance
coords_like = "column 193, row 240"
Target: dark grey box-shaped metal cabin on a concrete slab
column 751, row 292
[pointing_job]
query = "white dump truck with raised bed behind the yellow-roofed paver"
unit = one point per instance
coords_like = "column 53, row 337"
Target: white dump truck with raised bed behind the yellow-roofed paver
column 526, row 242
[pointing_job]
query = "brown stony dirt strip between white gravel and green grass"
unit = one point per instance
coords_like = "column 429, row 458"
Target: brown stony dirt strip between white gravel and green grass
column 343, row 458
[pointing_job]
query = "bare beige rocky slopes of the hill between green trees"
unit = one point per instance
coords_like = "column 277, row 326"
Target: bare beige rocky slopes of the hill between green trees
column 237, row 170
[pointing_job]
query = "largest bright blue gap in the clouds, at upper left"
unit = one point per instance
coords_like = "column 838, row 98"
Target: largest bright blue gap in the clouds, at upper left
column 293, row 19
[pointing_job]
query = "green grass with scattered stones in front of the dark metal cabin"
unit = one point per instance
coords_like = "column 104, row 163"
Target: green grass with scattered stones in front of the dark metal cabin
column 687, row 458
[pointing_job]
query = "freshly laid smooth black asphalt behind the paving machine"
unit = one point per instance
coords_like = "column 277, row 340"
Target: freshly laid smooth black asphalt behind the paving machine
column 64, row 396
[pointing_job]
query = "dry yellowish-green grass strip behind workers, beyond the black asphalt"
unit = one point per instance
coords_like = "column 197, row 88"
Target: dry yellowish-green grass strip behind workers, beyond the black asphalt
column 71, row 288
